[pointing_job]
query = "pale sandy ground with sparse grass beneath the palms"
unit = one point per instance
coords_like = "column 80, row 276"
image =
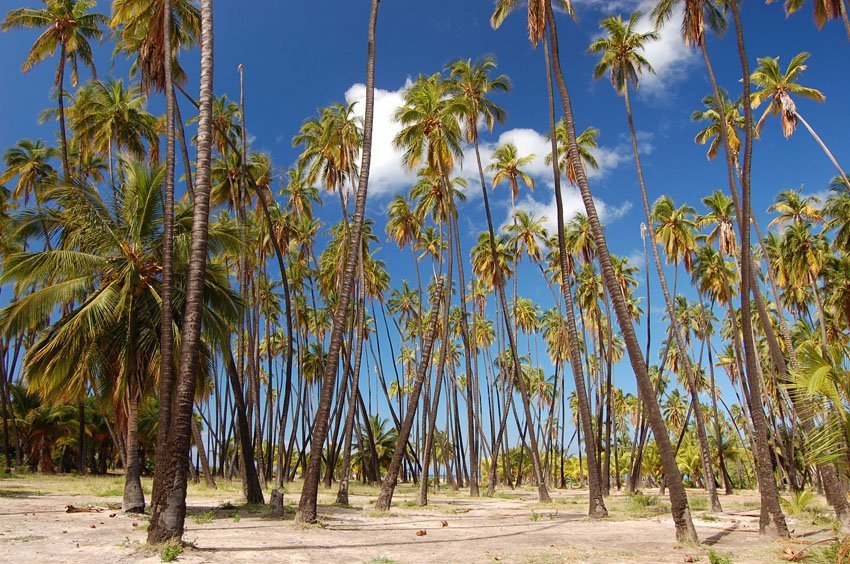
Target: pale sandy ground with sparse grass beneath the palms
column 512, row 527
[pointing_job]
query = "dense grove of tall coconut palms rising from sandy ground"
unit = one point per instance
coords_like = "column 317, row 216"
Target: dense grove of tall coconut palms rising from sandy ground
column 290, row 354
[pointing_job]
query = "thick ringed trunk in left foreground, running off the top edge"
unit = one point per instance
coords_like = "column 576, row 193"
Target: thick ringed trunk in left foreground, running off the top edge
column 167, row 520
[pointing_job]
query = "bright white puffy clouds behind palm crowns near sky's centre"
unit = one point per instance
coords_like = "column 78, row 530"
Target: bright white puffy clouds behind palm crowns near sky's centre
column 388, row 175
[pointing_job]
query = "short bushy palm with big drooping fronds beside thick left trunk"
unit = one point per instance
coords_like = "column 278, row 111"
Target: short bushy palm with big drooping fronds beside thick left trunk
column 108, row 264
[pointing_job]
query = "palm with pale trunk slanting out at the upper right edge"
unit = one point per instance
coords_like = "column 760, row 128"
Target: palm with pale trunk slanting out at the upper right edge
column 776, row 88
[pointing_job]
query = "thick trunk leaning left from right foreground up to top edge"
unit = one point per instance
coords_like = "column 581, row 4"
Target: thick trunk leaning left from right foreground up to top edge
column 685, row 530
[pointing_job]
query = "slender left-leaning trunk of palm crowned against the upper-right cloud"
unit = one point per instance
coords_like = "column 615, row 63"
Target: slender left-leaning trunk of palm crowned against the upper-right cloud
column 688, row 368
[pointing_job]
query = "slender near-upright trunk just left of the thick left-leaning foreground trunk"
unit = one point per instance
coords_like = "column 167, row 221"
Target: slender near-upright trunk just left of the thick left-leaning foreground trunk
column 596, row 505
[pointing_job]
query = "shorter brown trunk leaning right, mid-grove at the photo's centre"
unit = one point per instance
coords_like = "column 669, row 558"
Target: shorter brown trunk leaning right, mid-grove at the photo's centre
column 391, row 479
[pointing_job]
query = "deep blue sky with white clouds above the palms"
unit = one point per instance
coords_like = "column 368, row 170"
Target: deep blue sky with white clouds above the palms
column 299, row 56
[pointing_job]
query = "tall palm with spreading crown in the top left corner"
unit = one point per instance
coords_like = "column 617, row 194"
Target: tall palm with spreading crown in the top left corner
column 68, row 25
